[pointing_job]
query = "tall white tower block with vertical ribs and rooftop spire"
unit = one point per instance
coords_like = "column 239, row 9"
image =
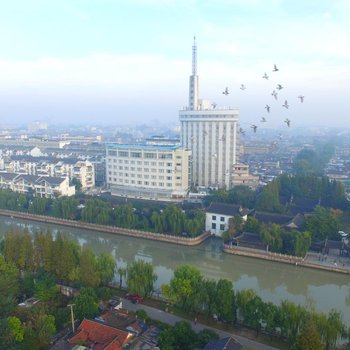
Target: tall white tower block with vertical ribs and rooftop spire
column 211, row 134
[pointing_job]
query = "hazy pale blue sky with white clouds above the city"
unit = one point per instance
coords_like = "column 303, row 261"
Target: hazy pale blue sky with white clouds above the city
column 120, row 61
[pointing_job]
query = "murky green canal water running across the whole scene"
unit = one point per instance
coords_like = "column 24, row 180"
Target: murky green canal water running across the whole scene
column 272, row 281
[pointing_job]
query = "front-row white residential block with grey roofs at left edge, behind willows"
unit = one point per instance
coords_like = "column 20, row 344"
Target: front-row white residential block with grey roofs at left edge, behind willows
column 39, row 186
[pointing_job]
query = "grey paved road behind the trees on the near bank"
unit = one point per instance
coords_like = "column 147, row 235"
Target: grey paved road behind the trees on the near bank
column 163, row 316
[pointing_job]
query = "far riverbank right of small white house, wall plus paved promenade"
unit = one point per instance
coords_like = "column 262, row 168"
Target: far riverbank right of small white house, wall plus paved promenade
column 309, row 260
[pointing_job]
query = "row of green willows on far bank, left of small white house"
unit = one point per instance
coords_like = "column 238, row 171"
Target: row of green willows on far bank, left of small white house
column 172, row 220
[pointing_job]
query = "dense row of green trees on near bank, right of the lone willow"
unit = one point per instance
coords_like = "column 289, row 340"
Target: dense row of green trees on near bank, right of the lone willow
column 293, row 323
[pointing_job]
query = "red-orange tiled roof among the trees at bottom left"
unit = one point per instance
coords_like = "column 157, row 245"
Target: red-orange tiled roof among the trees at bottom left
column 103, row 337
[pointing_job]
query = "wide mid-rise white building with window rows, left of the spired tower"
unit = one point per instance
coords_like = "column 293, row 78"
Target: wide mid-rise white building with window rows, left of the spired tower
column 148, row 171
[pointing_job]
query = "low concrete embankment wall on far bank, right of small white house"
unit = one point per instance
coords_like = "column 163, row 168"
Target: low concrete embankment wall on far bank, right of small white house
column 286, row 259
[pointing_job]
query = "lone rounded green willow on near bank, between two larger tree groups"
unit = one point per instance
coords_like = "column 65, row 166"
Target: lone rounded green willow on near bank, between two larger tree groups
column 140, row 278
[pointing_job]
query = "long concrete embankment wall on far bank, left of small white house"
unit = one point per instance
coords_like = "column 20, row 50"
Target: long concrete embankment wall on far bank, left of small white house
column 108, row 229
